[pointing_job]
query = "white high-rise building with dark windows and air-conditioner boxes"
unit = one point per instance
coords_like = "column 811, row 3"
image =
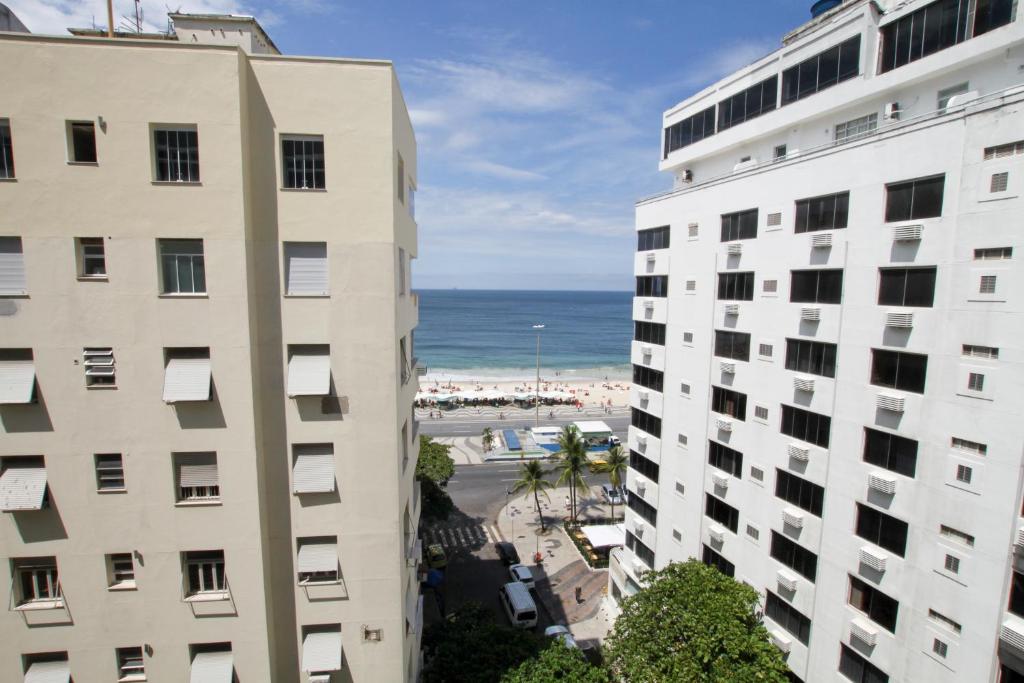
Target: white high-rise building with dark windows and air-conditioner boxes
column 828, row 361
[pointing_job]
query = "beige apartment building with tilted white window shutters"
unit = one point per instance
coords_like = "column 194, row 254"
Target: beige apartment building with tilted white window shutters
column 207, row 444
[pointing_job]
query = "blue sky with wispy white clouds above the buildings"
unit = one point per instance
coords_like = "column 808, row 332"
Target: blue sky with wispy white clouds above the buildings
column 538, row 123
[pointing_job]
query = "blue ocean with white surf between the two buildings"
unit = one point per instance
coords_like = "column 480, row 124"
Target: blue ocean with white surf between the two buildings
column 489, row 333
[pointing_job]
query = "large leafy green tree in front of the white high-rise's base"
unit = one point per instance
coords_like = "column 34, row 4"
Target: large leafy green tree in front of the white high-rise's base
column 693, row 623
